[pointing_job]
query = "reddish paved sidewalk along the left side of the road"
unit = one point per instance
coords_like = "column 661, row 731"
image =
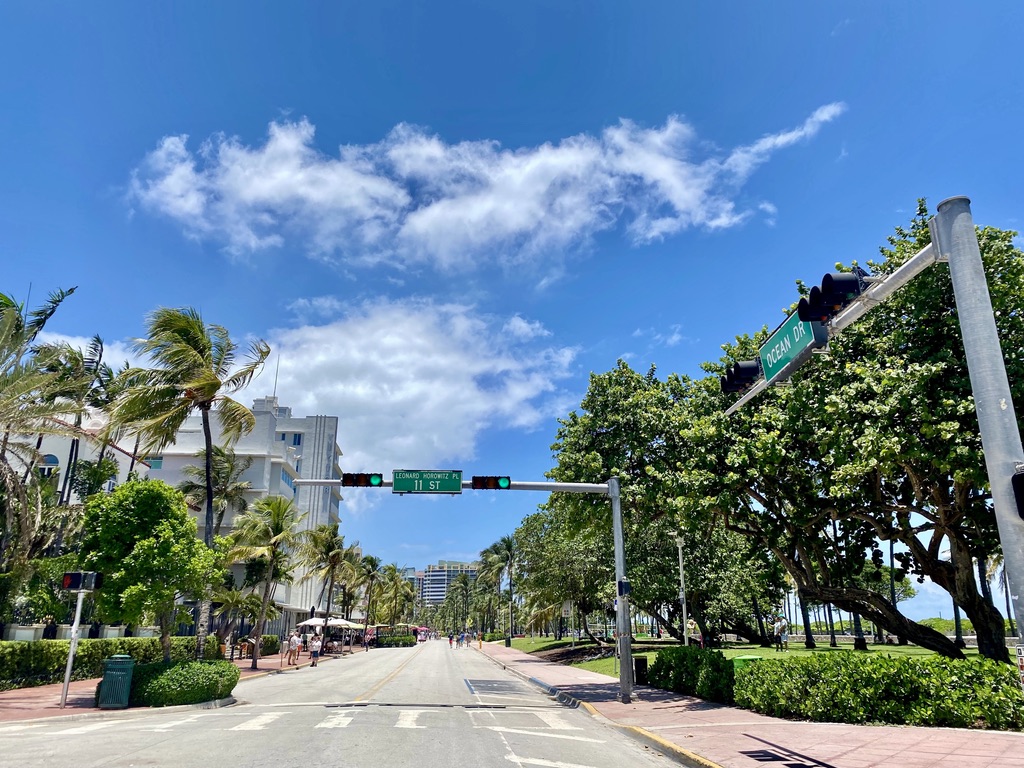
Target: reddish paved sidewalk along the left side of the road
column 45, row 701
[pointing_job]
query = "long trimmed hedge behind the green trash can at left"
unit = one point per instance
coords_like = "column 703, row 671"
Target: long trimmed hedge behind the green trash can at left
column 27, row 664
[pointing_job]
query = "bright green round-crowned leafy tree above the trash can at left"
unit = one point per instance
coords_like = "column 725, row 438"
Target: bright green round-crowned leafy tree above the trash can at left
column 143, row 540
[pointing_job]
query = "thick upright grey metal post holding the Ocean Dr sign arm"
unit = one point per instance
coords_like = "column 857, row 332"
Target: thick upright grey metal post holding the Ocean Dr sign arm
column 955, row 236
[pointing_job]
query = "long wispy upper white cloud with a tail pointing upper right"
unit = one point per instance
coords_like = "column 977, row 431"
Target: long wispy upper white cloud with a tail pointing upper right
column 413, row 198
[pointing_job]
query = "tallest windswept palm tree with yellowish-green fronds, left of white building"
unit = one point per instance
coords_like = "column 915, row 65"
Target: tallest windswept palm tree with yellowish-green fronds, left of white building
column 194, row 370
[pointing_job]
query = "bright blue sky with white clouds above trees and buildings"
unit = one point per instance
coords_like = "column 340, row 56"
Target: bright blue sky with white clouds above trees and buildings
column 445, row 217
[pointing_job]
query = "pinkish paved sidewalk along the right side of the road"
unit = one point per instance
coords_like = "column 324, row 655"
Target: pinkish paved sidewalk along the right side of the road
column 705, row 736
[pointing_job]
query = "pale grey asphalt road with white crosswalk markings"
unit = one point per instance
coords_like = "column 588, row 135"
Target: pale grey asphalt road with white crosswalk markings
column 428, row 706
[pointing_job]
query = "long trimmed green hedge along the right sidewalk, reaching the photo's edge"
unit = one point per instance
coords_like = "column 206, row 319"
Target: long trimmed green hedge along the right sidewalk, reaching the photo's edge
column 846, row 688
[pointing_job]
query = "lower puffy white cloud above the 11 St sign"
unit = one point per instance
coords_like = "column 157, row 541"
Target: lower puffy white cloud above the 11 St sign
column 416, row 383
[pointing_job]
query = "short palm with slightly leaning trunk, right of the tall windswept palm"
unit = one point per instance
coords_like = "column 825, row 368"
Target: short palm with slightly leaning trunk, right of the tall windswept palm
column 267, row 532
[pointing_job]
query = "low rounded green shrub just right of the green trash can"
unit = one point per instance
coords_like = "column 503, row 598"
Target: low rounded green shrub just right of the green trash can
column 161, row 685
